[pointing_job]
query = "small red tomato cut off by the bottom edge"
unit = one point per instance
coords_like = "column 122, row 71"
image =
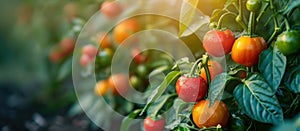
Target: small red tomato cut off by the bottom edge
column 154, row 125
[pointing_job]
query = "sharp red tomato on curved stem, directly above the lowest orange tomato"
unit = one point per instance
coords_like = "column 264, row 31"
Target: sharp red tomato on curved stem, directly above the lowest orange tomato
column 191, row 89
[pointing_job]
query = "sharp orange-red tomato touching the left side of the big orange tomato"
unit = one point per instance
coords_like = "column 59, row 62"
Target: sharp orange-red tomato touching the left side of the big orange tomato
column 218, row 43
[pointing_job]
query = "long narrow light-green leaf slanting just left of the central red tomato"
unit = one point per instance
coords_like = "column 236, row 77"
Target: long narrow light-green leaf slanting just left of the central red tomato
column 161, row 88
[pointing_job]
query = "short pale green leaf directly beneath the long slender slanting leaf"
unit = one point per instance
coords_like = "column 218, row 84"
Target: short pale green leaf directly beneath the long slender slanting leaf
column 156, row 106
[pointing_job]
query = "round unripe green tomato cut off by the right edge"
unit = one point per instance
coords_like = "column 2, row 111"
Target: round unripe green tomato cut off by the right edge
column 288, row 42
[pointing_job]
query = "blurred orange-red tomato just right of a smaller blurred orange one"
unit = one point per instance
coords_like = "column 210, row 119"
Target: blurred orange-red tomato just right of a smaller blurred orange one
column 118, row 83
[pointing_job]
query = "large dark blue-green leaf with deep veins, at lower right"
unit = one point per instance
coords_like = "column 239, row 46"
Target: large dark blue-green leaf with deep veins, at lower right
column 258, row 100
